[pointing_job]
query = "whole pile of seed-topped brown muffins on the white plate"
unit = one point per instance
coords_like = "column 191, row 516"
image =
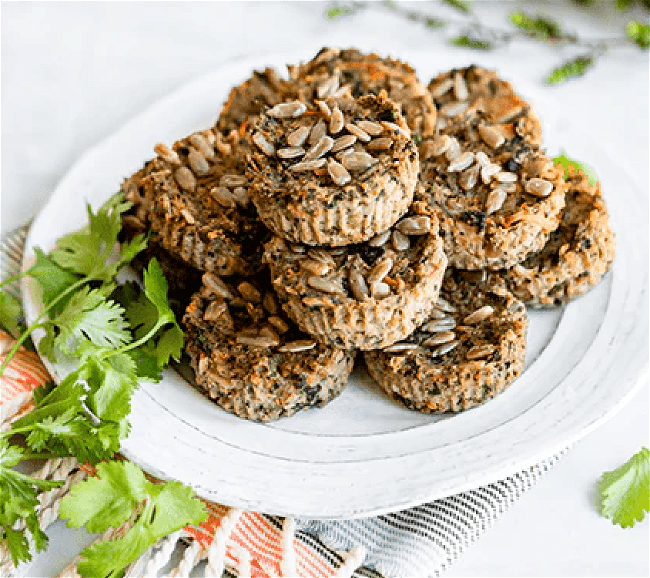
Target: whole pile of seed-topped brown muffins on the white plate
column 348, row 208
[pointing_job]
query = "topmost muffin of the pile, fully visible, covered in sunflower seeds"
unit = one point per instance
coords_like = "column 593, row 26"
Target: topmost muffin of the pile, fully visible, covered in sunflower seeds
column 335, row 174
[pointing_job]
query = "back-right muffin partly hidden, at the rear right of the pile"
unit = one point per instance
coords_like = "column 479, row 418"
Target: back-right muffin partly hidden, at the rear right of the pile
column 466, row 92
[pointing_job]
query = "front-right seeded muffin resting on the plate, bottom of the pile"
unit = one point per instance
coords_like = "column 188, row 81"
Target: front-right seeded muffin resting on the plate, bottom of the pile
column 469, row 350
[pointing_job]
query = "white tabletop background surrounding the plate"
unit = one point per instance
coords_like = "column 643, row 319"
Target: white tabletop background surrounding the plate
column 73, row 72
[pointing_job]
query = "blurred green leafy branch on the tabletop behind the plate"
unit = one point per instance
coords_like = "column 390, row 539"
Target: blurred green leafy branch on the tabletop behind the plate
column 477, row 36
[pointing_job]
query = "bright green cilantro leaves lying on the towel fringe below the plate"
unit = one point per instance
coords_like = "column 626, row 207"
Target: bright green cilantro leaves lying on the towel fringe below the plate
column 109, row 500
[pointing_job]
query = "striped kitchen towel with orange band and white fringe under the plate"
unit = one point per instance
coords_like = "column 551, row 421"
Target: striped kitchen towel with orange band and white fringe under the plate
column 419, row 541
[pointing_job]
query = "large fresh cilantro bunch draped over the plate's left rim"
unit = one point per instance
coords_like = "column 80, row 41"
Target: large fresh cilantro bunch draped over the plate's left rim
column 115, row 335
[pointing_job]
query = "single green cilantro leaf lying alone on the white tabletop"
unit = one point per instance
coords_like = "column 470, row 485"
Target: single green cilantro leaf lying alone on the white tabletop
column 625, row 492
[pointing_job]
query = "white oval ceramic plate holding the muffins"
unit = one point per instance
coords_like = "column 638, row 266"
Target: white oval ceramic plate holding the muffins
column 363, row 454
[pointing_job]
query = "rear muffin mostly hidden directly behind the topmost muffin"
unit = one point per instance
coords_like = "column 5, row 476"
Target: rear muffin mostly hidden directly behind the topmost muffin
column 333, row 71
